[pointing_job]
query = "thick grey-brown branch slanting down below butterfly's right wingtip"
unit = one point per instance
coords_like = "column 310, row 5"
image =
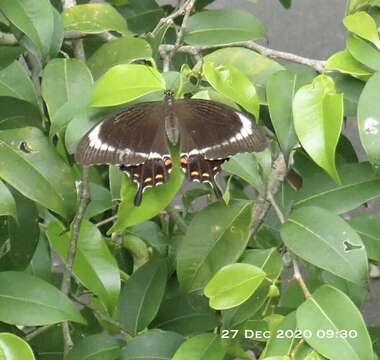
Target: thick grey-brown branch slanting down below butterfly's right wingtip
column 263, row 204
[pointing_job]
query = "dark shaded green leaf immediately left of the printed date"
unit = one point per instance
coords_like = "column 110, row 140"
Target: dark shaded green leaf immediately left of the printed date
column 186, row 314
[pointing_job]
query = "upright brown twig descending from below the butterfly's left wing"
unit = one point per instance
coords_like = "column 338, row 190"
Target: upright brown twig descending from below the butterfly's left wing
column 84, row 200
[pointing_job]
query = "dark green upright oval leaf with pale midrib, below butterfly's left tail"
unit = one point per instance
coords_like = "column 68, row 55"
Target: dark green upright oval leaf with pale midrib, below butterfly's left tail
column 141, row 296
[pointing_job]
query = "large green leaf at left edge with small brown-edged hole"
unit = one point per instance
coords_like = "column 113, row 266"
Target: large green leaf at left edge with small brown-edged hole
column 26, row 154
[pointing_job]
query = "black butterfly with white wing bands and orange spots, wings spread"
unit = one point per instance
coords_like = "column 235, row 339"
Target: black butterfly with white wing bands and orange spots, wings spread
column 137, row 138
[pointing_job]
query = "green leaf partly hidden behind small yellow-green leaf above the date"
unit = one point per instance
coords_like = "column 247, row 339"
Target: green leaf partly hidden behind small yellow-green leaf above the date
column 269, row 260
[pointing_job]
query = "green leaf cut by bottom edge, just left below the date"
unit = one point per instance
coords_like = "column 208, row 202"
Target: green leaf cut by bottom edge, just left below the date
column 201, row 347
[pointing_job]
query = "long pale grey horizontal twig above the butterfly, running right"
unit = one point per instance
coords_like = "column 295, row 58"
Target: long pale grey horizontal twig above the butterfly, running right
column 318, row 65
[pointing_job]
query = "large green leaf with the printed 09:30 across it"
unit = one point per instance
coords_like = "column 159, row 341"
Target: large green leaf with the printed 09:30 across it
column 331, row 310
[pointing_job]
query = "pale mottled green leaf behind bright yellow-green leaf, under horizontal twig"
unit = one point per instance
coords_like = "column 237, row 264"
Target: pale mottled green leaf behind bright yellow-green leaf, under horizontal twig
column 258, row 68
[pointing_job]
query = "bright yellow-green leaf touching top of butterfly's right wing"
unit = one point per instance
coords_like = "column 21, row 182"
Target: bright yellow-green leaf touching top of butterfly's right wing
column 232, row 83
